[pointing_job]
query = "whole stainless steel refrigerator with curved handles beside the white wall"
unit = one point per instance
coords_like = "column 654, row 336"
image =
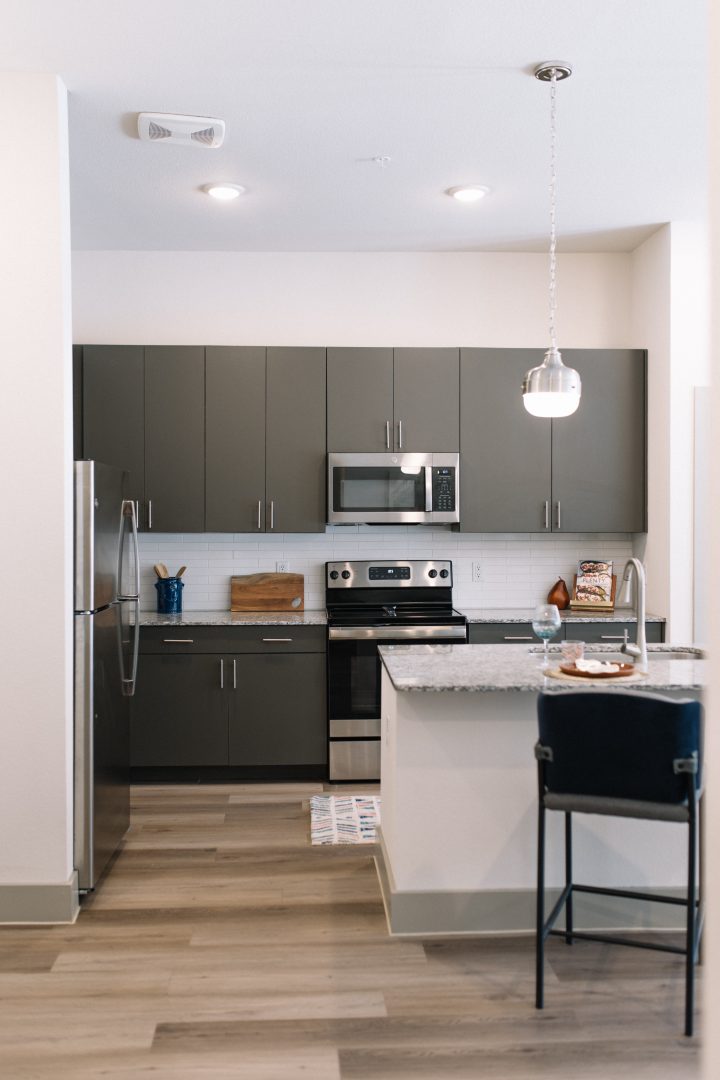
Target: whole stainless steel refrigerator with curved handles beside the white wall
column 106, row 650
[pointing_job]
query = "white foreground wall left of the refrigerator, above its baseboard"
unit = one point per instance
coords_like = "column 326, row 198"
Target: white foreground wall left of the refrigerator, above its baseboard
column 36, row 688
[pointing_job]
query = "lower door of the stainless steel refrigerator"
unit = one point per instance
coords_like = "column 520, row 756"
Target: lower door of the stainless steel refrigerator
column 102, row 742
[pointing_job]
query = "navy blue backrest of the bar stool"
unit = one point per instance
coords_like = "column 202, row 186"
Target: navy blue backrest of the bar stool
column 620, row 746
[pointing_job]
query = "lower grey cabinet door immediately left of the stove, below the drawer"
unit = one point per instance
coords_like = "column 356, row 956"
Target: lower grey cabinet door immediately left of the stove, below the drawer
column 279, row 712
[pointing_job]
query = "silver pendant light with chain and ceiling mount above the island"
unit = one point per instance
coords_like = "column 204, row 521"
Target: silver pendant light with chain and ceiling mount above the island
column 552, row 389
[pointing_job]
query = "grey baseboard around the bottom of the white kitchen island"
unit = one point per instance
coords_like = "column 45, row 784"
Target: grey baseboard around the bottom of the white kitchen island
column 511, row 911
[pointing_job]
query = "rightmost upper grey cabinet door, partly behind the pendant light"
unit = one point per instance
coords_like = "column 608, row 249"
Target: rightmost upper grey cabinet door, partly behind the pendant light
column 600, row 452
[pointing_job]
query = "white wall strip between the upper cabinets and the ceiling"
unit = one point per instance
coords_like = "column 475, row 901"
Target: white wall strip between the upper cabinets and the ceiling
column 349, row 300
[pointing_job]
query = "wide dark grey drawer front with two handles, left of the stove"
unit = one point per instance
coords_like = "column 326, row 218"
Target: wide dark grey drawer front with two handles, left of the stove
column 255, row 639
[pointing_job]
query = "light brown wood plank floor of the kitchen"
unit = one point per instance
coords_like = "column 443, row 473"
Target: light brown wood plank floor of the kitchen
column 222, row 944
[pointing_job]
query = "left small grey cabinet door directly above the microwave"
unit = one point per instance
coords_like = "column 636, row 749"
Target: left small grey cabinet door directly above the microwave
column 360, row 400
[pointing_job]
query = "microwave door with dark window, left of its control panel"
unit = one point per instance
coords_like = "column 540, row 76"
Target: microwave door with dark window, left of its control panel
column 381, row 489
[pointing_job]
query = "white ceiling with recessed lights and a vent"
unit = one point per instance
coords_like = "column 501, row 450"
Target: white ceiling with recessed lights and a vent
column 314, row 90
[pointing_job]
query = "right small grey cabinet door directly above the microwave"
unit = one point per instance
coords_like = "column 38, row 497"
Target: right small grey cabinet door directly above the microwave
column 427, row 400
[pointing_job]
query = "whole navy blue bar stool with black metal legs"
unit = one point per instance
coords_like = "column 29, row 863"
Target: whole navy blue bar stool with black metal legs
column 629, row 755
